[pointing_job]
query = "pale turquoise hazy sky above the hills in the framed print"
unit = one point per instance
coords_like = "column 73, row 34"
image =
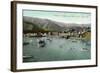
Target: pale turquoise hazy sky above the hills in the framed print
column 67, row 17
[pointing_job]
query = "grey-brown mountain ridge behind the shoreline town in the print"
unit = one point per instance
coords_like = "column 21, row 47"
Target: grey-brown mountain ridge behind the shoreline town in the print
column 40, row 24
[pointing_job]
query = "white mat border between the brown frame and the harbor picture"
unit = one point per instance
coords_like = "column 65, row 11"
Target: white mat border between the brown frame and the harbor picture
column 21, row 65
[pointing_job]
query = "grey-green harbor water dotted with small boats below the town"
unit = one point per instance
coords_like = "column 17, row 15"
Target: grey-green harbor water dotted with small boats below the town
column 38, row 49
